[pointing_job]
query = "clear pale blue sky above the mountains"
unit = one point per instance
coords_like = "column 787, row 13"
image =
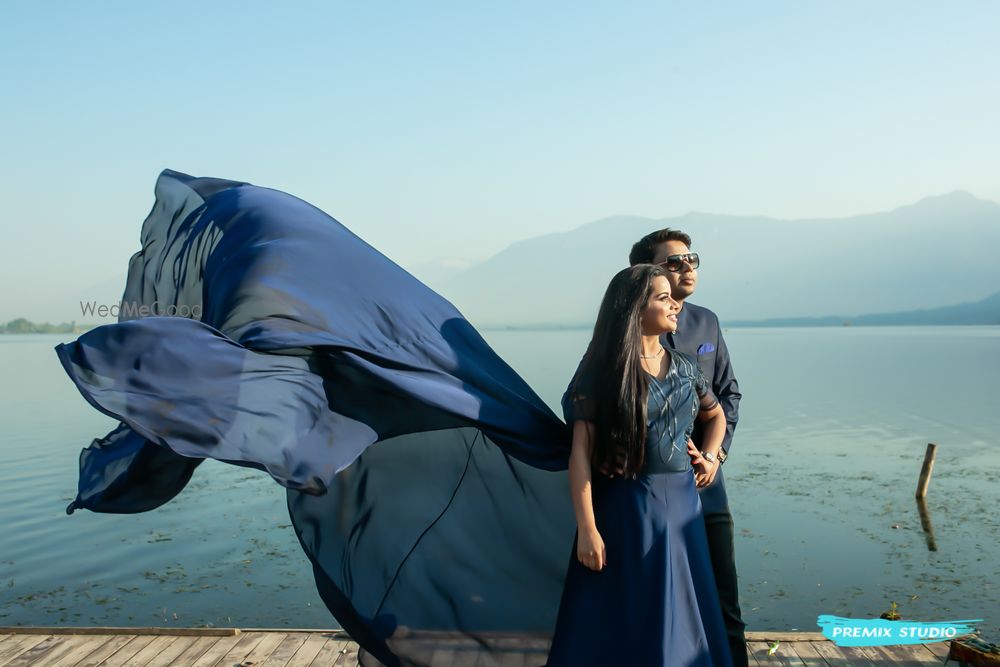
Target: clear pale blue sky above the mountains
column 449, row 130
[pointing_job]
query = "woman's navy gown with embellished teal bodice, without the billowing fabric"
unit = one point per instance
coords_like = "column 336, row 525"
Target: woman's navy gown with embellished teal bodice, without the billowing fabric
column 655, row 601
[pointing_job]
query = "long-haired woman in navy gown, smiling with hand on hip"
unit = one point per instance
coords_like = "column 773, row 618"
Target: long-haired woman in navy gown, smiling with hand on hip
column 639, row 589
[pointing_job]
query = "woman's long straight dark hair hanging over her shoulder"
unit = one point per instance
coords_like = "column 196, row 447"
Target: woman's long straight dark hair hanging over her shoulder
column 616, row 382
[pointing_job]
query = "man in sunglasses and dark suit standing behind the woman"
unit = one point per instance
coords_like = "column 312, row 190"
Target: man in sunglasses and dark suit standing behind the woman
column 699, row 336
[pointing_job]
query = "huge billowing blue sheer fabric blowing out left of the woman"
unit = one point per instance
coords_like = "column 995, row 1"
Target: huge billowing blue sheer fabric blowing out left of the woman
column 422, row 471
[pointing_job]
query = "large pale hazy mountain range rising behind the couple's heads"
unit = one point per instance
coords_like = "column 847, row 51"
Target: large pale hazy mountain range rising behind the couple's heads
column 941, row 250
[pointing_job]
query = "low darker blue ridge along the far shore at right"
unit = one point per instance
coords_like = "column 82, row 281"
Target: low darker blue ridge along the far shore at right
column 986, row 311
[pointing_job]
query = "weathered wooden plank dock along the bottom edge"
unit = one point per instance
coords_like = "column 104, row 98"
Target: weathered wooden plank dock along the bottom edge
column 197, row 647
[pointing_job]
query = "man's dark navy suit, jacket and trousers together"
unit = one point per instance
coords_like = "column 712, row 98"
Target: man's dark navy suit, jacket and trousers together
column 698, row 335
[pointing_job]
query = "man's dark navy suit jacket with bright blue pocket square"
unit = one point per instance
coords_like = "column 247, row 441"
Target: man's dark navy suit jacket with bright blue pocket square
column 698, row 335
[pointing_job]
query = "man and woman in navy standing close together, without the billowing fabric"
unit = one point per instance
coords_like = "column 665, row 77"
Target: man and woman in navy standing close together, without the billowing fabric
column 641, row 570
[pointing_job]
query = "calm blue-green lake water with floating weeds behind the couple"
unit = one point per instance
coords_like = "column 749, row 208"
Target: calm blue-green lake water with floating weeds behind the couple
column 821, row 479
